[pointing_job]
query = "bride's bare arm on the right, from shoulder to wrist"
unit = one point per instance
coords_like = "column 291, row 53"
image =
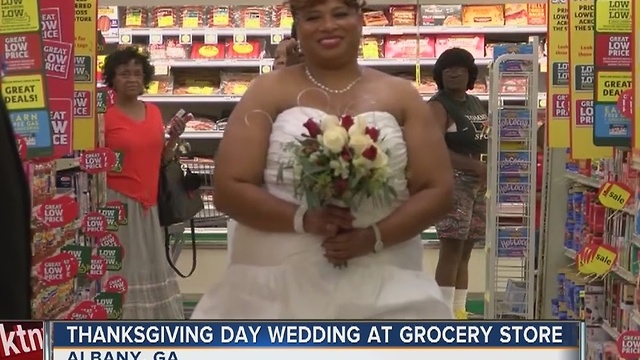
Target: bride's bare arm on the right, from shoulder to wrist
column 430, row 174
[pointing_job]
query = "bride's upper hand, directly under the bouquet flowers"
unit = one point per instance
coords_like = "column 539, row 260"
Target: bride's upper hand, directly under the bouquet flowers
column 326, row 221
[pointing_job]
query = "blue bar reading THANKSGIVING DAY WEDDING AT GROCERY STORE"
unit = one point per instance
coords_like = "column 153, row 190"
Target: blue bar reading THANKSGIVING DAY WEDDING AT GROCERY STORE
column 477, row 334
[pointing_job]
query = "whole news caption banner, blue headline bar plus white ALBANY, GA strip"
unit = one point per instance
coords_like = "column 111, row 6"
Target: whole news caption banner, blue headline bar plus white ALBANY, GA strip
column 195, row 340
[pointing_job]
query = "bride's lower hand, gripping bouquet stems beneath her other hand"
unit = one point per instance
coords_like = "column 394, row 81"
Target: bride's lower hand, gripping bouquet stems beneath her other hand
column 346, row 246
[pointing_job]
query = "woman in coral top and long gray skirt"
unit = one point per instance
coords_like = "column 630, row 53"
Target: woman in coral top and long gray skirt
column 134, row 130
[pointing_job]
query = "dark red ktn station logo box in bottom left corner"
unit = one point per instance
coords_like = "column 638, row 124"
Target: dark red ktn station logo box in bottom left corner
column 24, row 340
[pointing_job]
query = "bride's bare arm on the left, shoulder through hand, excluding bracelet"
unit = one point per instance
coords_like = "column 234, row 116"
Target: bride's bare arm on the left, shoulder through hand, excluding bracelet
column 240, row 162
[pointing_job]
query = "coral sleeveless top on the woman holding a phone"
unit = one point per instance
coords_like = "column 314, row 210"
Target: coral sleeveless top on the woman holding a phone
column 138, row 146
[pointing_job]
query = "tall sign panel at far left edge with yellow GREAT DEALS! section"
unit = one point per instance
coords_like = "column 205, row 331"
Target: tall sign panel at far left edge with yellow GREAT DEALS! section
column 24, row 85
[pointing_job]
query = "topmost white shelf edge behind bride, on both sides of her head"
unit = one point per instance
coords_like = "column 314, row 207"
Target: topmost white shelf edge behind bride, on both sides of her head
column 367, row 30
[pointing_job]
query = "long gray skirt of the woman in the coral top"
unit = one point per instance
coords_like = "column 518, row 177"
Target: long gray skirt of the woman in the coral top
column 153, row 292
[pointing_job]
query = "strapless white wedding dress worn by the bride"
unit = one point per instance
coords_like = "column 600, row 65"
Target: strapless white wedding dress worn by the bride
column 285, row 276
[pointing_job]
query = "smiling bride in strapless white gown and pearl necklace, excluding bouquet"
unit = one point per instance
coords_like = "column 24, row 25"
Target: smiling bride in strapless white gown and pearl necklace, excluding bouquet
column 281, row 266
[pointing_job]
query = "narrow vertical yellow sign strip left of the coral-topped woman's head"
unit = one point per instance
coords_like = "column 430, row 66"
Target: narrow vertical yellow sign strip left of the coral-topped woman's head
column 85, row 62
